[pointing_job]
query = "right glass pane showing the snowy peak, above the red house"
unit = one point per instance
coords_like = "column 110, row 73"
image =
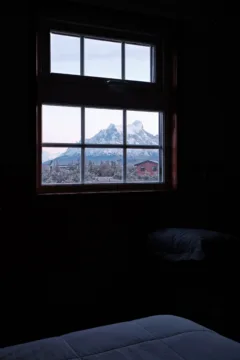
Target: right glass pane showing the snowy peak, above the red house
column 142, row 128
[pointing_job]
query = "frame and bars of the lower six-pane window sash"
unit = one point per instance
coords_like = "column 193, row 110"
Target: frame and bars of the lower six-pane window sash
column 164, row 148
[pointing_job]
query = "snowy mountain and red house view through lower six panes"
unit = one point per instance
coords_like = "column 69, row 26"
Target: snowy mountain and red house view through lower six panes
column 116, row 145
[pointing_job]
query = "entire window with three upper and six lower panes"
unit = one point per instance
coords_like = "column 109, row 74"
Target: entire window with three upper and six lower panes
column 102, row 114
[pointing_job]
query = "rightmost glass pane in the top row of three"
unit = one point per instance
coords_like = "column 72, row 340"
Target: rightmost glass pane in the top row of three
column 137, row 62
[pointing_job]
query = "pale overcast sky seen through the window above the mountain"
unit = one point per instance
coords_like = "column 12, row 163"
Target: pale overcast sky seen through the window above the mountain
column 102, row 59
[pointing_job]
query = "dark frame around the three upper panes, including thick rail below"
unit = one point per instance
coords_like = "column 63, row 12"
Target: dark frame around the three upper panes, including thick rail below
column 96, row 91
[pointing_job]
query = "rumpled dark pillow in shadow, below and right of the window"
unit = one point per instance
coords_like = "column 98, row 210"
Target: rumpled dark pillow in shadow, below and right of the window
column 180, row 244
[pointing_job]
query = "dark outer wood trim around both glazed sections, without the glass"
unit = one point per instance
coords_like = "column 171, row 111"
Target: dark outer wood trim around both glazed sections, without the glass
column 60, row 89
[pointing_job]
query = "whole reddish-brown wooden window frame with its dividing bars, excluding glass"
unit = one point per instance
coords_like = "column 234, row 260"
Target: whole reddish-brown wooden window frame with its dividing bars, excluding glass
column 61, row 89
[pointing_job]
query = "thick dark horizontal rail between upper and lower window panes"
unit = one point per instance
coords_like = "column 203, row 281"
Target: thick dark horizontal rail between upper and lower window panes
column 68, row 90
